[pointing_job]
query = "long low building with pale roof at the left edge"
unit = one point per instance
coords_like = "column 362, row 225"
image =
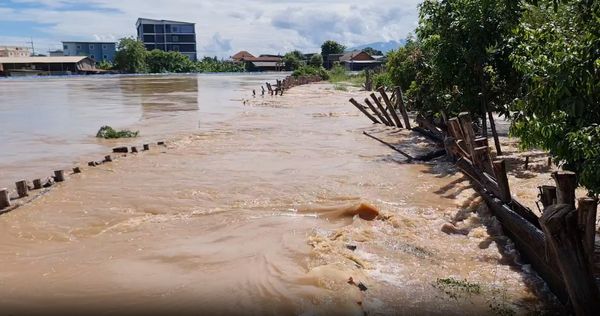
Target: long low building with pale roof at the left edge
column 63, row 65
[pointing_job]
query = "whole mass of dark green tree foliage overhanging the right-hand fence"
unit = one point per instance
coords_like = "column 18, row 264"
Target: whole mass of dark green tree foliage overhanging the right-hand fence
column 535, row 62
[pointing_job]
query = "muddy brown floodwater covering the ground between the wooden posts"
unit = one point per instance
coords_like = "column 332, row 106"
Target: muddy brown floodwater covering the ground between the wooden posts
column 248, row 210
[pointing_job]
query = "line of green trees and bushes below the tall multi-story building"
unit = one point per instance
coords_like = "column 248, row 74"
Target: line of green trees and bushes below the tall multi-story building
column 133, row 57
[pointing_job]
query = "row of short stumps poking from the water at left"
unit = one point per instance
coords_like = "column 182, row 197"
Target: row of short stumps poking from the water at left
column 23, row 187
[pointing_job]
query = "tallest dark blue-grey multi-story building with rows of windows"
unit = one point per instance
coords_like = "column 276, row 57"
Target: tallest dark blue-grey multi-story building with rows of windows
column 168, row 36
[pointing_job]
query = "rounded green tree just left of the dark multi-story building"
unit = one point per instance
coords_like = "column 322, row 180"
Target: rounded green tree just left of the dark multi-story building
column 131, row 56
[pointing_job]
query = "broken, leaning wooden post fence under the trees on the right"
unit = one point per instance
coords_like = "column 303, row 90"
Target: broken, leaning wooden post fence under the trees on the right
column 559, row 244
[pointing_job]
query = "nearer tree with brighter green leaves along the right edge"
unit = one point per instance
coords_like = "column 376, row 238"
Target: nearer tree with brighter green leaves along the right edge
column 558, row 55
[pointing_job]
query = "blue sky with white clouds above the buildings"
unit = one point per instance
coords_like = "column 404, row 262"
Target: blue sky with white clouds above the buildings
column 223, row 27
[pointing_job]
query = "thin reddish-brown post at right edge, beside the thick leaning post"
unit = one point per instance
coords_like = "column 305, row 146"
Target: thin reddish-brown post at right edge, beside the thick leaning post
column 587, row 210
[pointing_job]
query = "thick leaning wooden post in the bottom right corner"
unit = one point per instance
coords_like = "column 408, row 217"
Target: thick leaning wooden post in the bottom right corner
column 563, row 236
